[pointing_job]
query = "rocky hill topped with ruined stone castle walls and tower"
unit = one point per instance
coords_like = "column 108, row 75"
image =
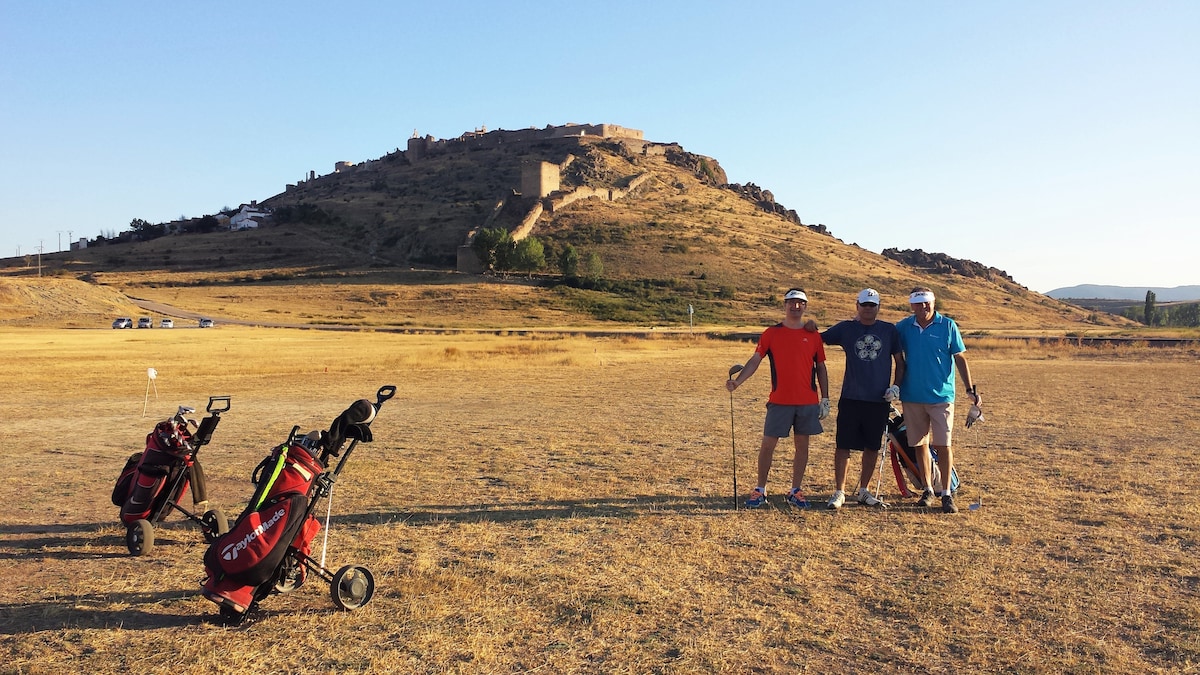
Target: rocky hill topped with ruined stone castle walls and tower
column 665, row 226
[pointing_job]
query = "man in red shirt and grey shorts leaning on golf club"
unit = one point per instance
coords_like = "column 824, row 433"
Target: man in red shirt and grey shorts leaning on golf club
column 797, row 369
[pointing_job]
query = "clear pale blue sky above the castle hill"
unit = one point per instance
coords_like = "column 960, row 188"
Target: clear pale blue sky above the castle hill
column 1059, row 141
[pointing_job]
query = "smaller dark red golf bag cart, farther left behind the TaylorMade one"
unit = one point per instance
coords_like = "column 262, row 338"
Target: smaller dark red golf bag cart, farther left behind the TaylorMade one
column 154, row 481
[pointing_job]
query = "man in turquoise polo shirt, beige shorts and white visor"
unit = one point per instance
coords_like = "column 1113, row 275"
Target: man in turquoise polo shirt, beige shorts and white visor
column 933, row 351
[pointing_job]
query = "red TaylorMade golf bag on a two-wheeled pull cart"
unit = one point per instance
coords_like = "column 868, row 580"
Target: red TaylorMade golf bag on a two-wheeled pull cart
column 268, row 548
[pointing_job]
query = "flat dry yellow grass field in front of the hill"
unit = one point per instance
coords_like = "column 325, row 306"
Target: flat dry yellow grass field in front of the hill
column 563, row 505
